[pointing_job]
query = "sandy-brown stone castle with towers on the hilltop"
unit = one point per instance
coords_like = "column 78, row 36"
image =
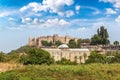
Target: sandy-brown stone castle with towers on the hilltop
column 53, row 39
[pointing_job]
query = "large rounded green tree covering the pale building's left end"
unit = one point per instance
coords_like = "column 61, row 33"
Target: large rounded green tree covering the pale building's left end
column 38, row 56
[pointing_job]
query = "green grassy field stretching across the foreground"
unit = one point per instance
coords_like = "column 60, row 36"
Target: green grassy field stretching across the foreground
column 65, row 72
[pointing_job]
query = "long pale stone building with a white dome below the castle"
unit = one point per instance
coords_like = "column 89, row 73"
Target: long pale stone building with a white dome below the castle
column 72, row 54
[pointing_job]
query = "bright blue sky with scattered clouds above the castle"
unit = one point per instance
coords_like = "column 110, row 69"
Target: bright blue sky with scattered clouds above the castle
column 21, row 19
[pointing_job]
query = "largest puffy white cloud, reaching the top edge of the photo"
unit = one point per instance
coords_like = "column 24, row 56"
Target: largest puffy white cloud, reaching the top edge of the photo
column 53, row 6
